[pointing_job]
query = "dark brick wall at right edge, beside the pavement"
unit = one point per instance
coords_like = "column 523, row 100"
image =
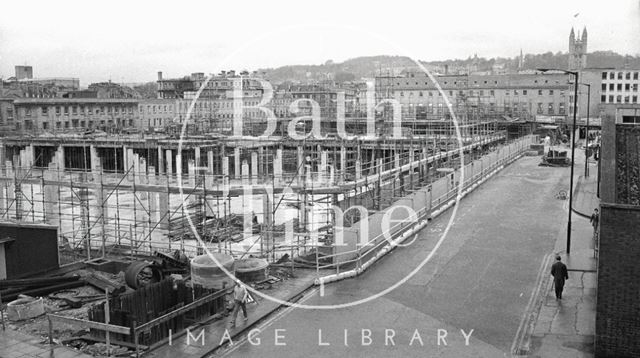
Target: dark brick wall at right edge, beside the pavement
column 618, row 298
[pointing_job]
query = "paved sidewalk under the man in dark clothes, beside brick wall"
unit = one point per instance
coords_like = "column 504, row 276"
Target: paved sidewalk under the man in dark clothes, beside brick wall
column 566, row 328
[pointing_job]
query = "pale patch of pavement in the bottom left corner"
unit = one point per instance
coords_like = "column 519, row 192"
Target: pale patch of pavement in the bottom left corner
column 14, row 344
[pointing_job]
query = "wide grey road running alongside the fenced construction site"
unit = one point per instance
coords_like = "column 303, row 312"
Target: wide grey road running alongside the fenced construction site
column 479, row 281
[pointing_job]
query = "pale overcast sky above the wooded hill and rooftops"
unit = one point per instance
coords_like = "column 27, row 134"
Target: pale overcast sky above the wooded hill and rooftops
column 130, row 41
